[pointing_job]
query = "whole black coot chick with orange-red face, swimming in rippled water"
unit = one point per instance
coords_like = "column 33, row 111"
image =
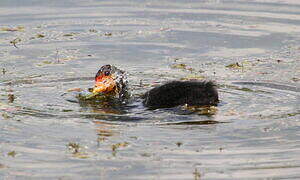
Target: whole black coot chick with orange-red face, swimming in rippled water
column 110, row 80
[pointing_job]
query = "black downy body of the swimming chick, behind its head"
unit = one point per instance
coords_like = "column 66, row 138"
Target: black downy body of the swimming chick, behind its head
column 177, row 93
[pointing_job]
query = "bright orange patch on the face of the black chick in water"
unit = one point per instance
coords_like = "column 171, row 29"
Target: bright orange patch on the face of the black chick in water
column 104, row 84
